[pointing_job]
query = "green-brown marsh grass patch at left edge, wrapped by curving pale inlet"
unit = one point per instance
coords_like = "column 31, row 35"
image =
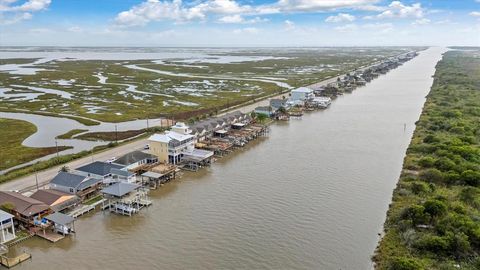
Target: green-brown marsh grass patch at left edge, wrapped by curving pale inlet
column 12, row 152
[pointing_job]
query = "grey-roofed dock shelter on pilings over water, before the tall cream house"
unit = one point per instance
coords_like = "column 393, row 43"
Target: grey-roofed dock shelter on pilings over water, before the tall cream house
column 125, row 198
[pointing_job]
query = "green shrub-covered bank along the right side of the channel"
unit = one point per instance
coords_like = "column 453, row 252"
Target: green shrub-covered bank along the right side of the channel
column 434, row 219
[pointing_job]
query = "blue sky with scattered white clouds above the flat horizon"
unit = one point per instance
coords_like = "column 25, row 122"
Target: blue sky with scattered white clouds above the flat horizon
column 239, row 23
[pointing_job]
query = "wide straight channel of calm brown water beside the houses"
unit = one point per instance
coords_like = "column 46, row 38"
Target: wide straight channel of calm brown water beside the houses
column 311, row 196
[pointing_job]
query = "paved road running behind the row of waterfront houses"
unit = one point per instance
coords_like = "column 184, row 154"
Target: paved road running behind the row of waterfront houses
column 28, row 183
